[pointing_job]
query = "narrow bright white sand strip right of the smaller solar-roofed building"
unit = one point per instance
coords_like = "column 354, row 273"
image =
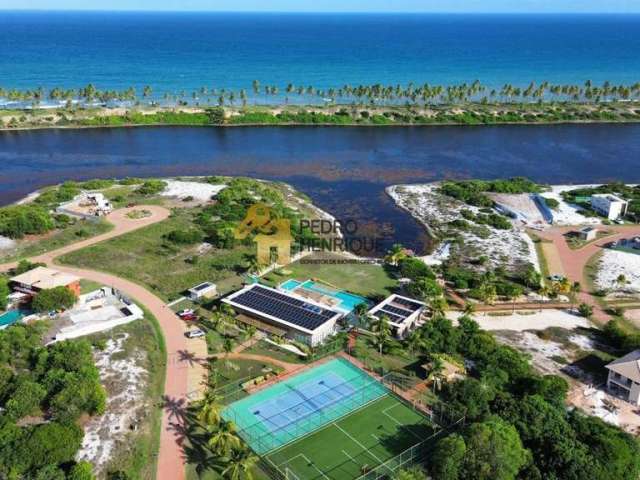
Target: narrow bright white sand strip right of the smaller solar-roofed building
column 534, row 321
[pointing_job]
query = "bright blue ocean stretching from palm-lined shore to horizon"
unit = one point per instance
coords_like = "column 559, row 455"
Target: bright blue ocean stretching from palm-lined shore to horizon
column 175, row 52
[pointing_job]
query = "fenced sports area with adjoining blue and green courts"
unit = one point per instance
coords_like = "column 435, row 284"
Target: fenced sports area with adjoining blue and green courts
column 333, row 421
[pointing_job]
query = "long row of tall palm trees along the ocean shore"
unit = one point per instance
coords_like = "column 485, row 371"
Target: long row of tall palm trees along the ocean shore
column 373, row 94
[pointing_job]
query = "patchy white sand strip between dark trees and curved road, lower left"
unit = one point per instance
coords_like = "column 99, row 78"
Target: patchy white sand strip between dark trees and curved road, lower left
column 125, row 382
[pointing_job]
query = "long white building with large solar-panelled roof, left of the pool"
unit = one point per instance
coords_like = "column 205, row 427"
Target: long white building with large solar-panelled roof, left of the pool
column 283, row 313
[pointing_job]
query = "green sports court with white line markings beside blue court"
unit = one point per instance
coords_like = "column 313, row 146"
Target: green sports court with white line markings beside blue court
column 350, row 446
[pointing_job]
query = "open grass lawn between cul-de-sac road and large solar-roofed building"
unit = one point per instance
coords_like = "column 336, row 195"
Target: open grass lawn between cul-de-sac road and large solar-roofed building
column 145, row 257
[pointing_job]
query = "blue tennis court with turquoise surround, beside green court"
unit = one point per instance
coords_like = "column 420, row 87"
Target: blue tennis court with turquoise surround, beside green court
column 297, row 406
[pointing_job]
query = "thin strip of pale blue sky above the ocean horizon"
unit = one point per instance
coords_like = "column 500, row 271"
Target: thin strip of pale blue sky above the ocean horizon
column 458, row 6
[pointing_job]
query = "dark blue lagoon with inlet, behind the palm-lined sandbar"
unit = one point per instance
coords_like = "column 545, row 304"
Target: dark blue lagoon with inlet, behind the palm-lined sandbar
column 344, row 170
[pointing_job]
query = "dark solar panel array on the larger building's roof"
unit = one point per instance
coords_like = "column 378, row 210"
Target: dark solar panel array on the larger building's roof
column 284, row 307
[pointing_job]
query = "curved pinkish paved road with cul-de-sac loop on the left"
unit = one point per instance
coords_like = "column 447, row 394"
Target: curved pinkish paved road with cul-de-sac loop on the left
column 183, row 355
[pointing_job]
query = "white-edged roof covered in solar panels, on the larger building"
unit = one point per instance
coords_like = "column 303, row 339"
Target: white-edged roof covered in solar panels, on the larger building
column 282, row 307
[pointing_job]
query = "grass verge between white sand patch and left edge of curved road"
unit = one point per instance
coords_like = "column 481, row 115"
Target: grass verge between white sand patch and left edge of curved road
column 137, row 455
